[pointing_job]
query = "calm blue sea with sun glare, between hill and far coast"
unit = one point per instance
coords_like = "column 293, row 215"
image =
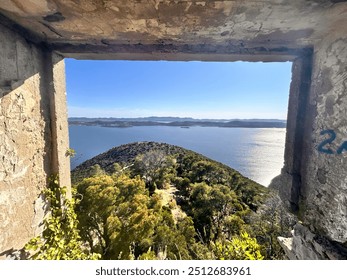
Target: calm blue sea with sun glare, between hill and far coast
column 255, row 152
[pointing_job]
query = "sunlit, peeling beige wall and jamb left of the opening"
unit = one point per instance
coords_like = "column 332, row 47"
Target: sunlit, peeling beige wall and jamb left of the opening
column 31, row 98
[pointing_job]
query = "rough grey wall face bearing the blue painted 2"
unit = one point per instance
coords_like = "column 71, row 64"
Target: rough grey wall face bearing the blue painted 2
column 324, row 192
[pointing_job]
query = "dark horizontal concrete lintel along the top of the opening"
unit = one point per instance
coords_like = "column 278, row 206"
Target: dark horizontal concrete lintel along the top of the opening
column 203, row 52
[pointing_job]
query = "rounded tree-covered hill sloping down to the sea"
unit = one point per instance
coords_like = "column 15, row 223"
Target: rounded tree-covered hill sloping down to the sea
column 151, row 200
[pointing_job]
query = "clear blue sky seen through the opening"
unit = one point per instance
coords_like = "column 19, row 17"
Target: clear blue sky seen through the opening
column 181, row 89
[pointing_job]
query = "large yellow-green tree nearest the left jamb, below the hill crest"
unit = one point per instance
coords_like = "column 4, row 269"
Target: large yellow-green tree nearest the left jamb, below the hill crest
column 116, row 214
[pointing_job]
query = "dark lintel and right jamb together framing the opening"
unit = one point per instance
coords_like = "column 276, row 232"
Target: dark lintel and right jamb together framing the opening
column 299, row 113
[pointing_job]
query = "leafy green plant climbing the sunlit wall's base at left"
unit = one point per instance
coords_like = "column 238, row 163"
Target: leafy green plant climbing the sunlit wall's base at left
column 60, row 239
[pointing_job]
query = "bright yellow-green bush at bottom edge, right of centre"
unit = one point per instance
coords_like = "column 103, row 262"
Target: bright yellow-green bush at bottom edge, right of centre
column 239, row 248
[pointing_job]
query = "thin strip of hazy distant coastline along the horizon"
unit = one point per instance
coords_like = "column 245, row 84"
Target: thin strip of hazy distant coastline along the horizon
column 178, row 122
